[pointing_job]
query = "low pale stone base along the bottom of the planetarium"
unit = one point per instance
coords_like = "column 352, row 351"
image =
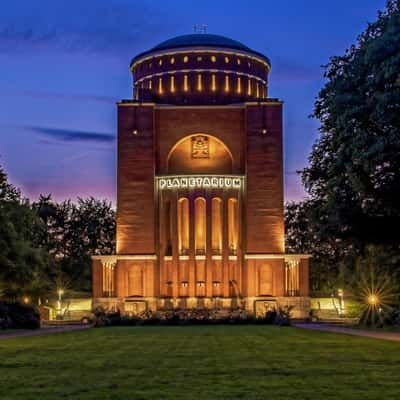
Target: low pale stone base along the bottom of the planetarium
column 256, row 305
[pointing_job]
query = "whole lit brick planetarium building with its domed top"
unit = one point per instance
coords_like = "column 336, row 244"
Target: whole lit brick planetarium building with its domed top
column 200, row 186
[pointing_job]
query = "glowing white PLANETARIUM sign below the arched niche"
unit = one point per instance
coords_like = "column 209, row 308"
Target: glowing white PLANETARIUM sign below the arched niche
column 197, row 181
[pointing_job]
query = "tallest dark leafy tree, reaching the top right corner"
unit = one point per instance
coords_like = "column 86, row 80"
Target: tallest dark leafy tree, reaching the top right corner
column 354, row 170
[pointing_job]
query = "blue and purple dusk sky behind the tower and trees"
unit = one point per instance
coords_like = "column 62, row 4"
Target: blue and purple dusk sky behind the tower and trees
column 64, row 65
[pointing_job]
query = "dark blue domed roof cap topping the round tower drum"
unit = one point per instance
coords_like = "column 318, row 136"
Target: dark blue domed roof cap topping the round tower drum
column 200, row 40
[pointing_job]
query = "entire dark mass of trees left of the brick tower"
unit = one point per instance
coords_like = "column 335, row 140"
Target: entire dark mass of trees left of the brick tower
column 47, row 244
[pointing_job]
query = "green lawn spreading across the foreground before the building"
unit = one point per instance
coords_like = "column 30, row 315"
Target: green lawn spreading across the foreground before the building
column 208, row 362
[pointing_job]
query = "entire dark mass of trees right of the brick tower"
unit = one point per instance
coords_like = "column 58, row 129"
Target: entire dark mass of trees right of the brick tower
column 353, row 177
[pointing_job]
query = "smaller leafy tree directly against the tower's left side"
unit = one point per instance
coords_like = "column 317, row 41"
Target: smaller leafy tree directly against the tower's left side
column 75, row 232
